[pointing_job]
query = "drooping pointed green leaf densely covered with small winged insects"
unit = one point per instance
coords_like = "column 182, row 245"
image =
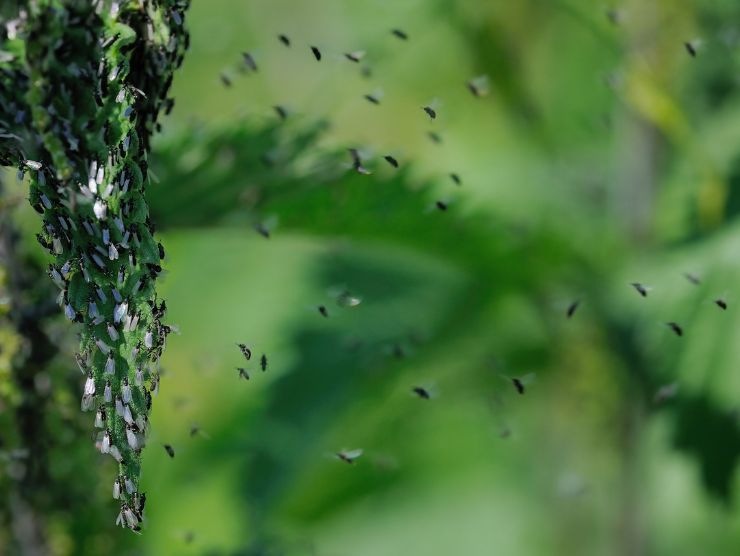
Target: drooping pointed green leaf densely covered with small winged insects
column 82, row 85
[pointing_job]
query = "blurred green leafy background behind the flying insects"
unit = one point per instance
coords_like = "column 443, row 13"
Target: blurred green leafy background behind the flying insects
column 605, row 154
